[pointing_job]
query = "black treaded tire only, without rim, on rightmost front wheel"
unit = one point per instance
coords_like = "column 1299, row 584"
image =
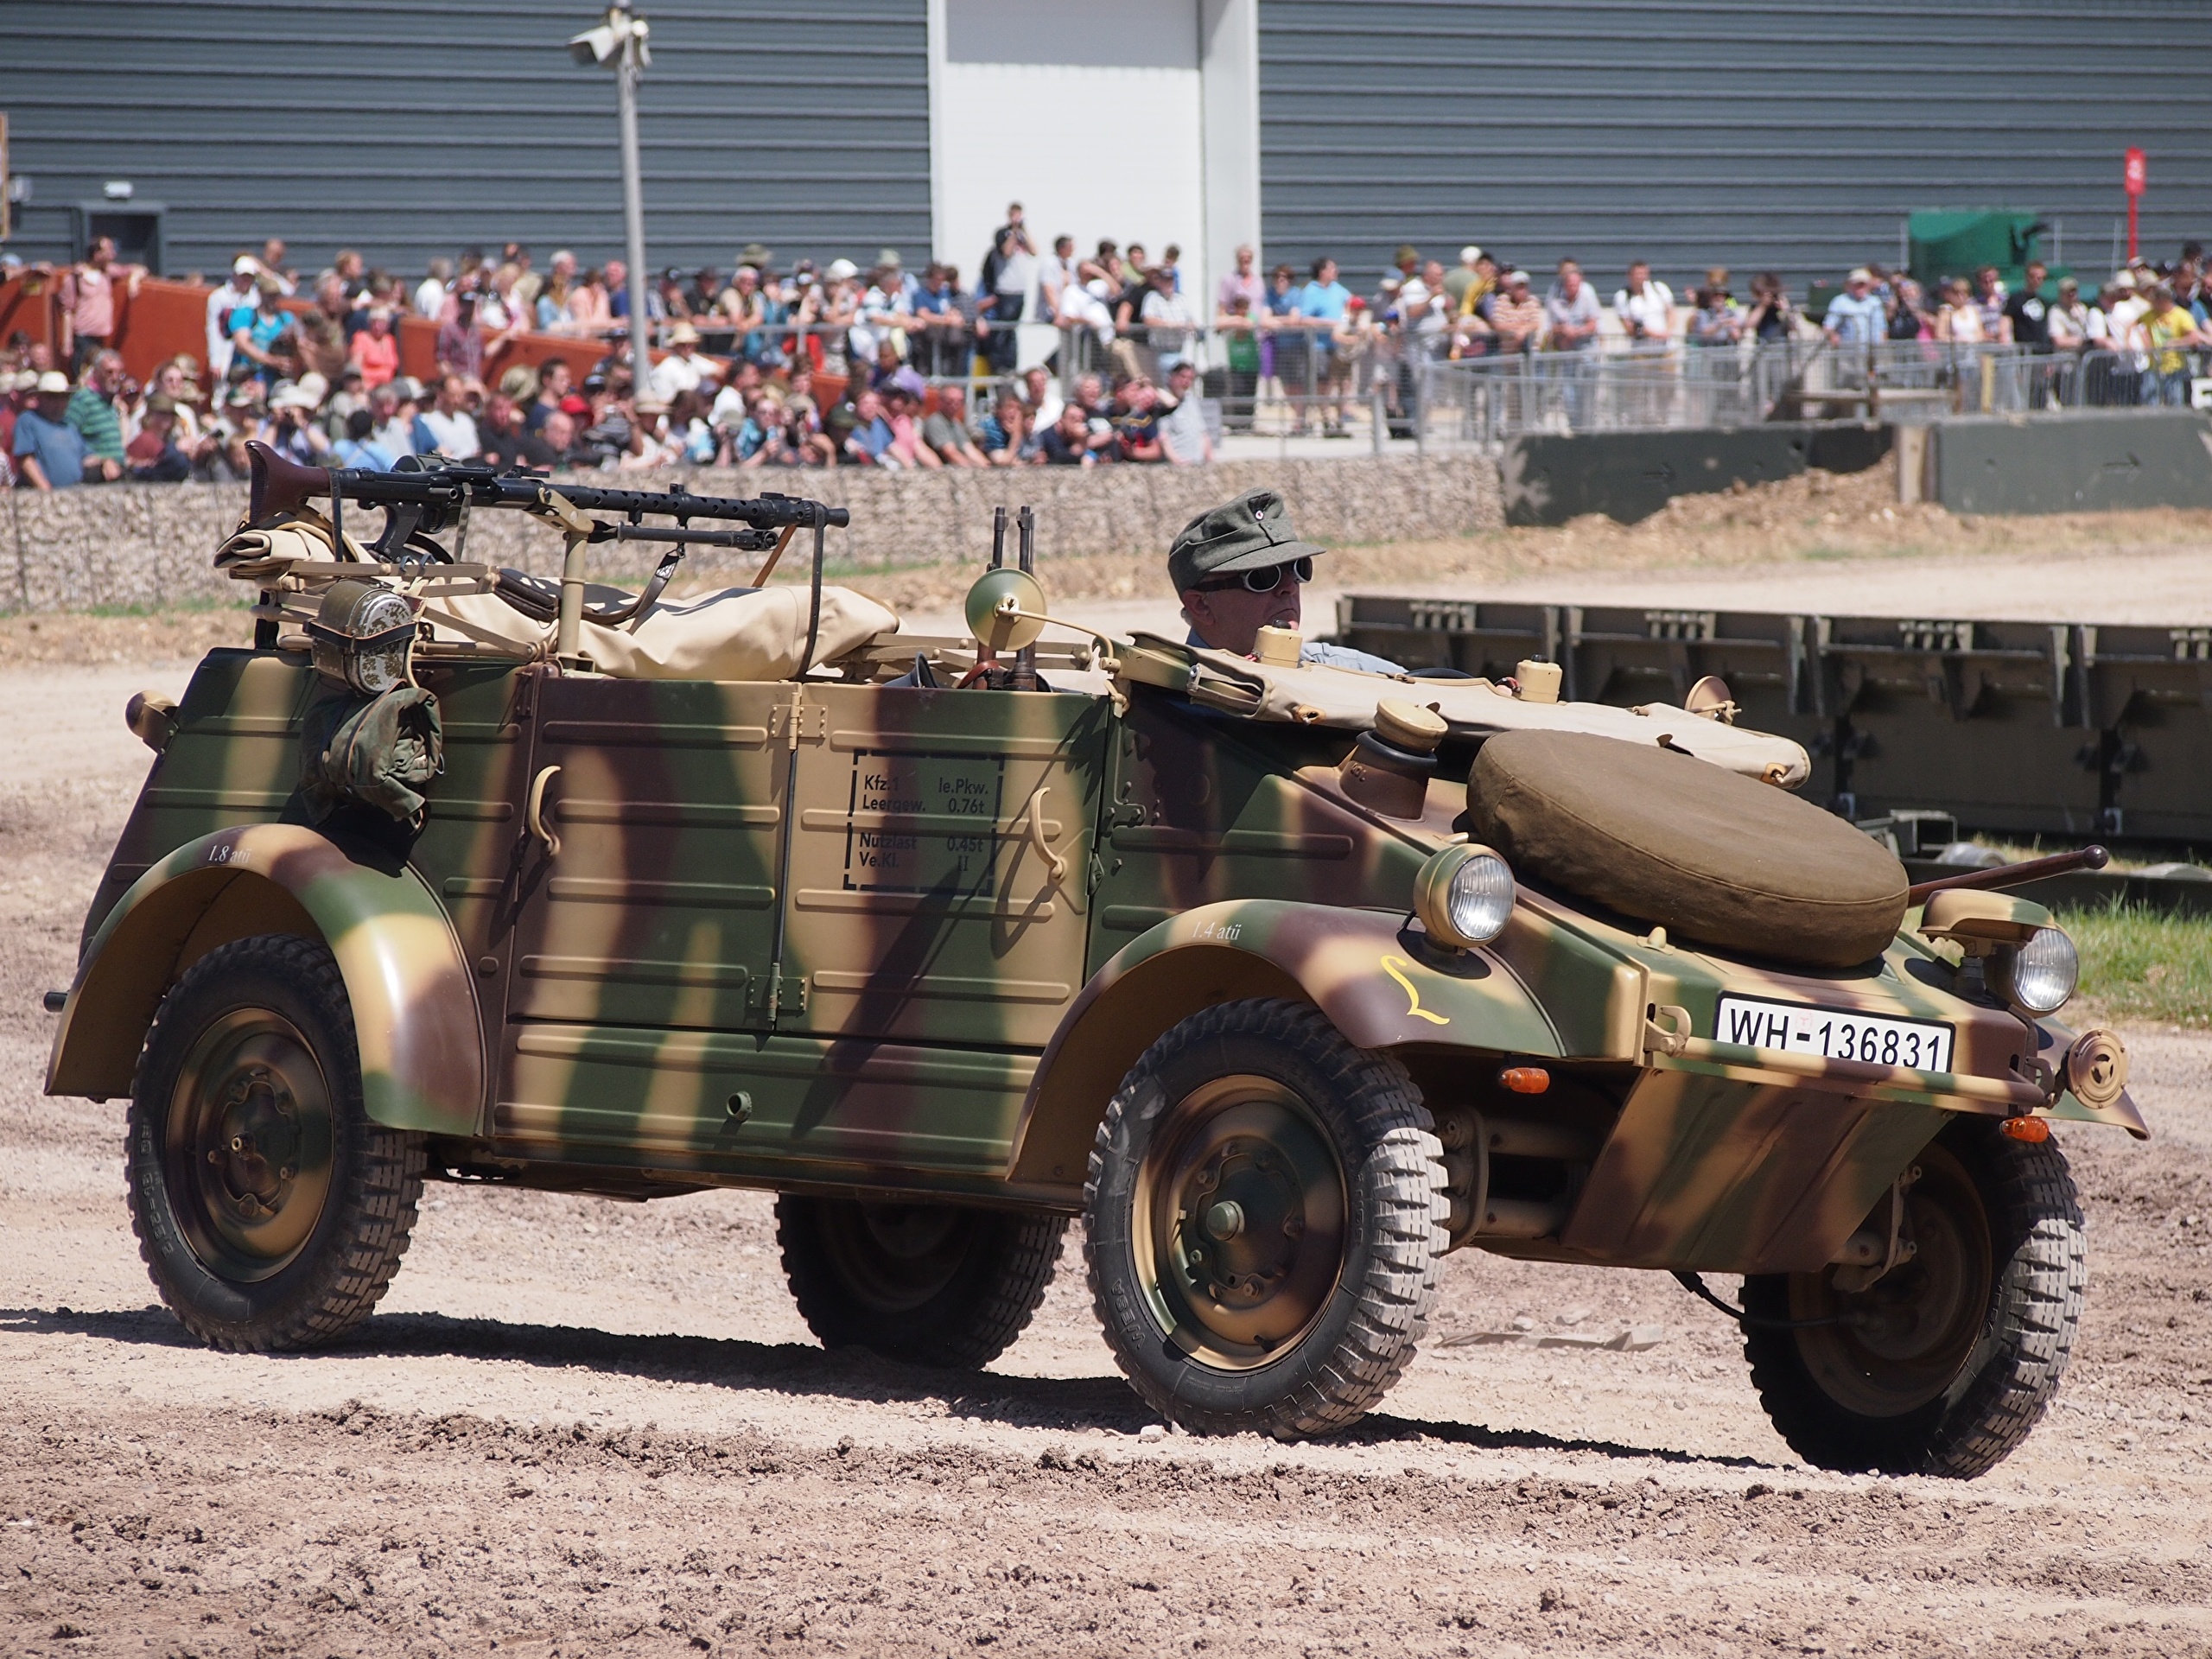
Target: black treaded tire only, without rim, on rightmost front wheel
column 2041, row 1253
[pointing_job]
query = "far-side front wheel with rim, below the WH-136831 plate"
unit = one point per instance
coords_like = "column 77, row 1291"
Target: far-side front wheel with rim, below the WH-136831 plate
column 1974, row 1331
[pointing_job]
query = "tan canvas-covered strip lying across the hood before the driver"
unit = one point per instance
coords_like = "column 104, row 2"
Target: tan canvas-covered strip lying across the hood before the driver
column 1346, row 698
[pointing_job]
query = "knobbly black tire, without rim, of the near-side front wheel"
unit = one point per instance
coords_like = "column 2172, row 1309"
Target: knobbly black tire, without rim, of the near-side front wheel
column 1395, row 1178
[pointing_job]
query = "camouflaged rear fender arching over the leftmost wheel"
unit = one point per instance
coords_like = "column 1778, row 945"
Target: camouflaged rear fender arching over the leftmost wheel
column 406, row 977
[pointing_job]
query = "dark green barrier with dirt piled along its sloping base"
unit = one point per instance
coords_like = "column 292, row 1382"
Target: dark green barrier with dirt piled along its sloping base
column 1550, row 479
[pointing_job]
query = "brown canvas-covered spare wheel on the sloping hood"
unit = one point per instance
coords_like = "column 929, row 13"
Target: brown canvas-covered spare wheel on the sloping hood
column 1665, row 837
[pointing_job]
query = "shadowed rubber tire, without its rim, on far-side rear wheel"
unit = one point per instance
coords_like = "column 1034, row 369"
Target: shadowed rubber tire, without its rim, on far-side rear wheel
column 963, row 1331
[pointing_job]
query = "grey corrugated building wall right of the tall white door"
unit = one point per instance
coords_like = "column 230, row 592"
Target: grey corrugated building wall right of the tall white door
column 1755, row 134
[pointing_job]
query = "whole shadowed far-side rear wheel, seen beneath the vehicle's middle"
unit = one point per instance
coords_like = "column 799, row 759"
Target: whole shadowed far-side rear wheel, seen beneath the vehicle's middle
column 928, row 1284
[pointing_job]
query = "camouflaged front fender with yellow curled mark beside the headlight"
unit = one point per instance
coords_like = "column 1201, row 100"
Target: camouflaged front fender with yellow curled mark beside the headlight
column 1364, row 970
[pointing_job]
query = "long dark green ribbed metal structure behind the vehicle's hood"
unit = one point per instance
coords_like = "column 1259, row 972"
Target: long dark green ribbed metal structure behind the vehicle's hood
column 2010, row 727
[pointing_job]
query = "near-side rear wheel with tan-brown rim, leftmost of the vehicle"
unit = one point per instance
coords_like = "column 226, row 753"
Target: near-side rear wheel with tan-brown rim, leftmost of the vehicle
column 269, row 1209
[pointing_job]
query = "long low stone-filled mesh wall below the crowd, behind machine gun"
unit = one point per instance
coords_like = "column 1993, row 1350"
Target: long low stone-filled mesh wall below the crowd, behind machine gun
column 156, row 543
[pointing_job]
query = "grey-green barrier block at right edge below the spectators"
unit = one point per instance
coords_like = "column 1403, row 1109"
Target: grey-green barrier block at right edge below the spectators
column 2091, row 463
